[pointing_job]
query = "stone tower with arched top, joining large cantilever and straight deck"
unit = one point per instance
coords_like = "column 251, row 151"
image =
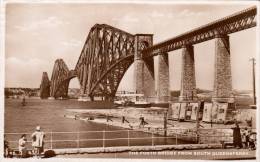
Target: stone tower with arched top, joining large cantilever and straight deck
column 144, row 68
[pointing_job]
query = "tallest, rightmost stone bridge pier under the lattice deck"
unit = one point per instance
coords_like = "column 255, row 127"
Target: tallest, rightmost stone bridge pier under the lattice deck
column 223, row 78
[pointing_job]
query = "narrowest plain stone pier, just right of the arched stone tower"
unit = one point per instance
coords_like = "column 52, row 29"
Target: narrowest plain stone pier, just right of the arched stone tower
column 162, row 92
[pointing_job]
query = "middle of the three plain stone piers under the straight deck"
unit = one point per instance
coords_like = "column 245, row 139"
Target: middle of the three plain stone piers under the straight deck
column 188, row 83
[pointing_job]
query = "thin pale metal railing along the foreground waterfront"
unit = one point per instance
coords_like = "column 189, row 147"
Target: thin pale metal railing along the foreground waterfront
column 113, row 138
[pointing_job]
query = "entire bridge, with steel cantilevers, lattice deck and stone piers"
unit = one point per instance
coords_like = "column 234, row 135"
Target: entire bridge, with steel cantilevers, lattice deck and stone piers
column 108, row 52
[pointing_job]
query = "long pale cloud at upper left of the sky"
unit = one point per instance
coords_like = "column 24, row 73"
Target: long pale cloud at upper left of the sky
column 50, row 22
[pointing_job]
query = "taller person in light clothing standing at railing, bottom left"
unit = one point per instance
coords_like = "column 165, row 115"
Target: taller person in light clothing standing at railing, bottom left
column 37, row 141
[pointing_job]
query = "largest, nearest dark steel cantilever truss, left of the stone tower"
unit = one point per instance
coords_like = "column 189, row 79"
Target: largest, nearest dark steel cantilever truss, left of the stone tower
column 107, row 54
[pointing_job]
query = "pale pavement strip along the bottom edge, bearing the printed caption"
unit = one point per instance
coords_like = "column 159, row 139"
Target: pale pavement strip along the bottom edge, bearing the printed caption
column 207, row 154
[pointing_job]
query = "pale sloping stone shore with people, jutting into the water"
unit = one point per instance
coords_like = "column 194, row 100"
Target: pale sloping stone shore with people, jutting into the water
column 154, row 117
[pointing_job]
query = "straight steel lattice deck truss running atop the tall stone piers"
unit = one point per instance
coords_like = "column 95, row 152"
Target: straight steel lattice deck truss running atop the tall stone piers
column 239, row 21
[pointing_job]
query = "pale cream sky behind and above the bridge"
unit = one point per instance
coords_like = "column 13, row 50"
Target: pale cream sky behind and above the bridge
column 38, row 34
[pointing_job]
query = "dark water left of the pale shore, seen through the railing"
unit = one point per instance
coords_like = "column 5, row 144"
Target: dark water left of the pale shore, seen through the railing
column 49, row 114
